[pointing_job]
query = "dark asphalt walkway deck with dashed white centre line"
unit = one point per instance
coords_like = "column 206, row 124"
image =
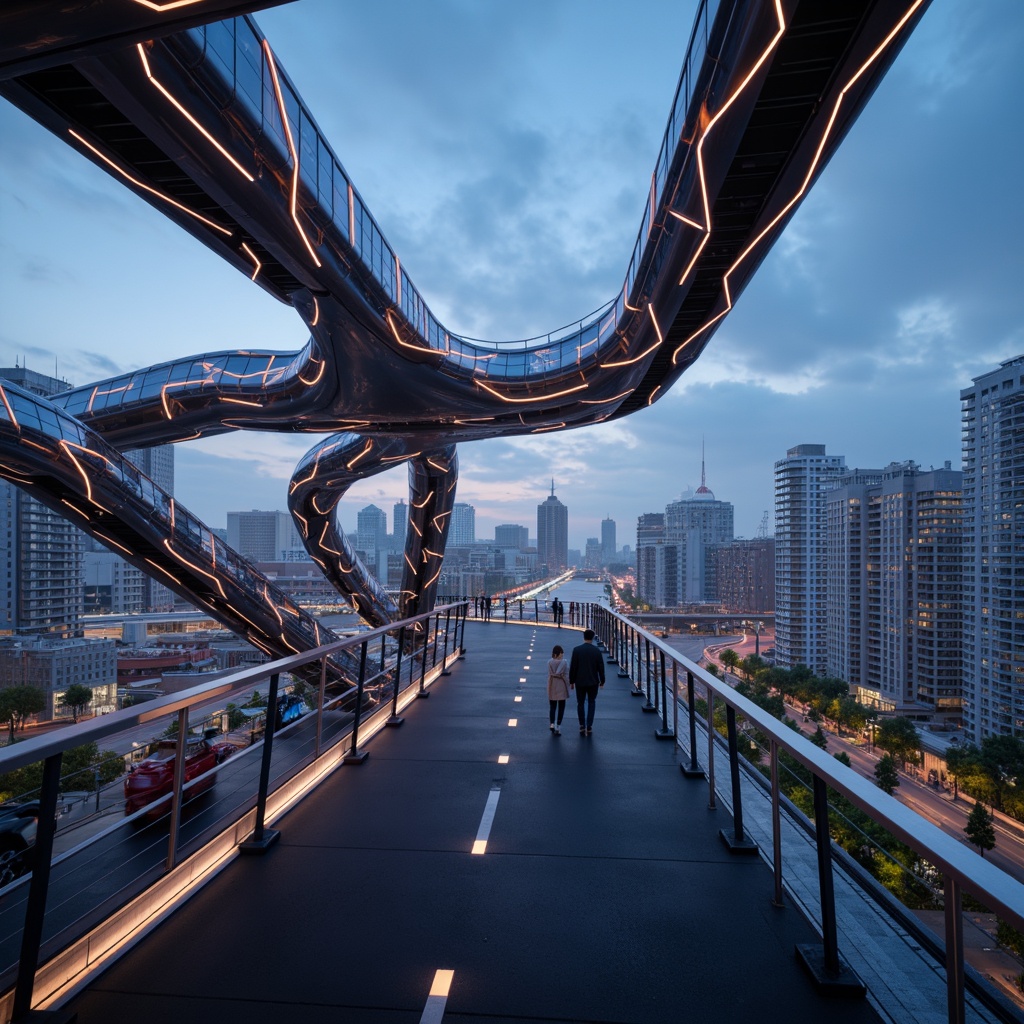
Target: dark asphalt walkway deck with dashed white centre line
column 605, row 895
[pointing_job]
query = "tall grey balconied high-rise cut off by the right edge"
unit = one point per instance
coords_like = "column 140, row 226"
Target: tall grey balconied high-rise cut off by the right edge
column 994, row 563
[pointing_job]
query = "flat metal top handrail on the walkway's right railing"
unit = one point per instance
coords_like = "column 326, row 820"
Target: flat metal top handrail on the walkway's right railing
column 979, row 877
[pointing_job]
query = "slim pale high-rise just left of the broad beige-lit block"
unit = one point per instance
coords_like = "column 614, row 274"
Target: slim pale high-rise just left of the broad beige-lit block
column 802, row 480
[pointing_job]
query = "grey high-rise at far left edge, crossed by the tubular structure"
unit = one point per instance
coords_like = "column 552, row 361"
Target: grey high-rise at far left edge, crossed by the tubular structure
column 45, row 589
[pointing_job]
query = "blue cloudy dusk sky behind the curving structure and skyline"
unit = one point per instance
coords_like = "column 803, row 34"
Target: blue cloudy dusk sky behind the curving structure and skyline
column 505, row 148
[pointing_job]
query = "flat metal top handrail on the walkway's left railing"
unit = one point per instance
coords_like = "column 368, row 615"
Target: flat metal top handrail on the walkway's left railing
column 47, row 745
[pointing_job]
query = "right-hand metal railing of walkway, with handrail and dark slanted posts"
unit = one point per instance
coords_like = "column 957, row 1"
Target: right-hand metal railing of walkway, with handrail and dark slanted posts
column 668, row 681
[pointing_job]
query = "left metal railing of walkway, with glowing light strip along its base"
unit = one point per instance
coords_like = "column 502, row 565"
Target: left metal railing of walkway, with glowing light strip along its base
column 51, row 912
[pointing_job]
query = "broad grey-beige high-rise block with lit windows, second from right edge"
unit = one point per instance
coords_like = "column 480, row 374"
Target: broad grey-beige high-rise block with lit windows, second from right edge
column 894, row 610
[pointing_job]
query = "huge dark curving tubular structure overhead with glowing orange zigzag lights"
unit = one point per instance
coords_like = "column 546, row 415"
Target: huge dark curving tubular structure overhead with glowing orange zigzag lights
column 199, row 119
